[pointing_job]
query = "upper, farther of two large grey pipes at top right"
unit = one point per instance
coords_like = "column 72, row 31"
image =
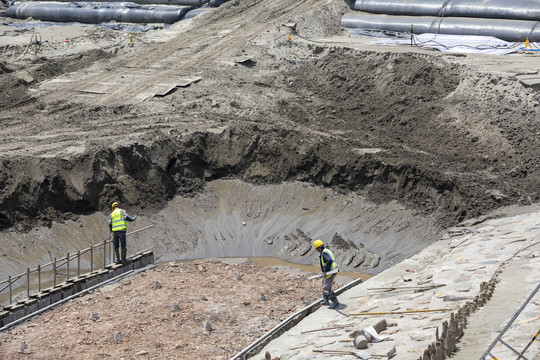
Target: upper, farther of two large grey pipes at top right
column 497, row 9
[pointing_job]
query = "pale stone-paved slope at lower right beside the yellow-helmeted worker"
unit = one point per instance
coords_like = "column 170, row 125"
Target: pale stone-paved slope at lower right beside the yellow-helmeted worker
column 450, row 273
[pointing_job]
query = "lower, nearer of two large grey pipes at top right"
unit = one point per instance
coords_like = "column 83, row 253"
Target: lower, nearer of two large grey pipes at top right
column 508, row 30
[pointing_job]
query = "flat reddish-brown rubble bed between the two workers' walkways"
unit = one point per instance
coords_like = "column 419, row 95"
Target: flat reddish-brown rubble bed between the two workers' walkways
column 221, row 309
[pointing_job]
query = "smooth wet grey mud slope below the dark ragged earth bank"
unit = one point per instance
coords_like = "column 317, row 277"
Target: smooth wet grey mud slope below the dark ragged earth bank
column 231, row 218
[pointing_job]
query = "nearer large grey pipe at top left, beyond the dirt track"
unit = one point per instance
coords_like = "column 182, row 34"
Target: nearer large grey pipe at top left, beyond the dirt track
column 96, row 14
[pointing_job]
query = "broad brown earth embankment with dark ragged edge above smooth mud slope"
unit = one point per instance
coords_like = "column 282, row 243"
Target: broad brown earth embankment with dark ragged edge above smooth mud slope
column 442, row 139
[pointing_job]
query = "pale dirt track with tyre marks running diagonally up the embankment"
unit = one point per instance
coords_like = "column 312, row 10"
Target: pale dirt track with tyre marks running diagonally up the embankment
column 199, row 47
